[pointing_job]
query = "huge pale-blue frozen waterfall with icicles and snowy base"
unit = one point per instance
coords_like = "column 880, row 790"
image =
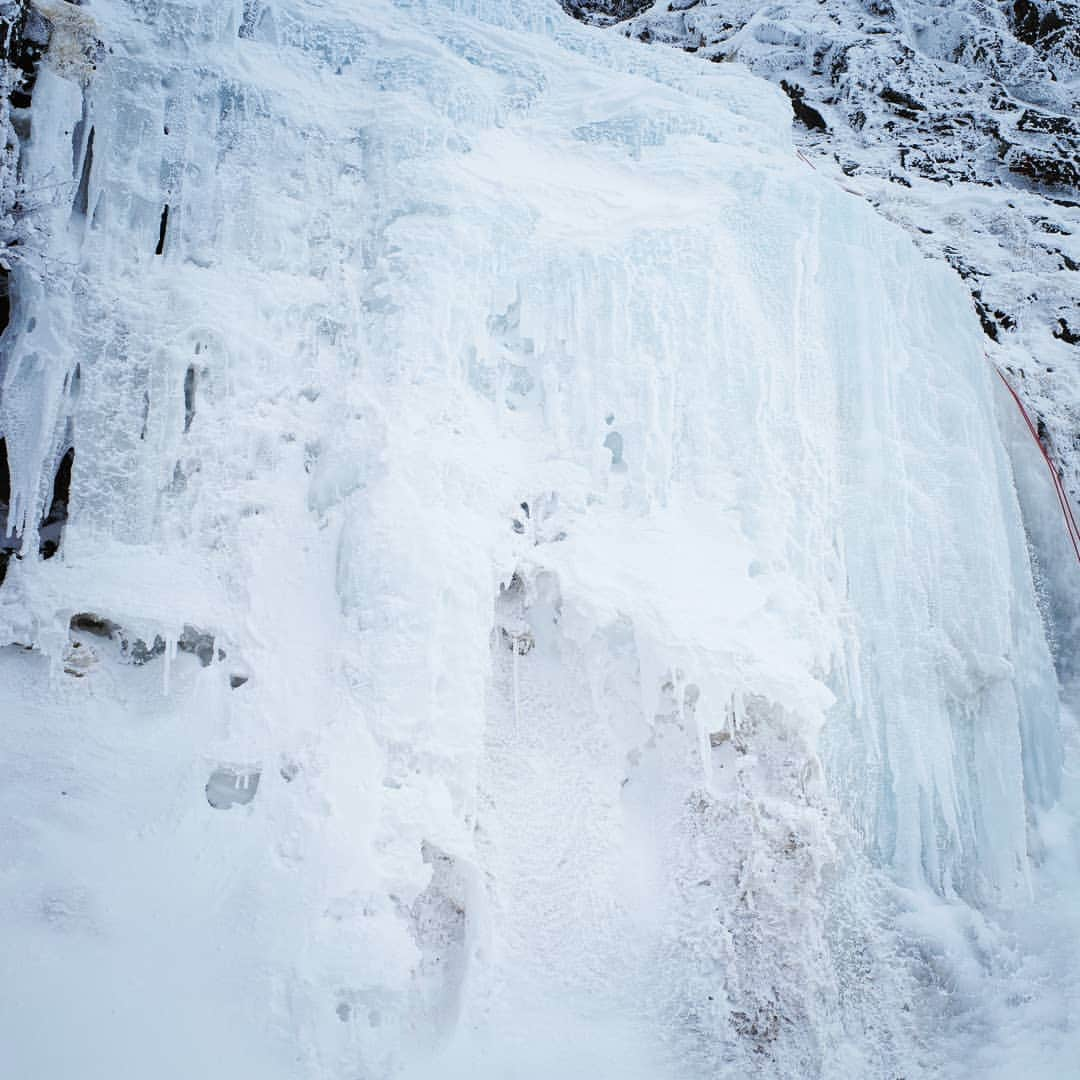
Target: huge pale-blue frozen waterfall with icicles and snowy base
column 531, row 600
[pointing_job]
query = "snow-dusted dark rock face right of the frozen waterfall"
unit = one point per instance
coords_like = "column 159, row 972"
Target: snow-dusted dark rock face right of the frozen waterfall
column 957, row 120
